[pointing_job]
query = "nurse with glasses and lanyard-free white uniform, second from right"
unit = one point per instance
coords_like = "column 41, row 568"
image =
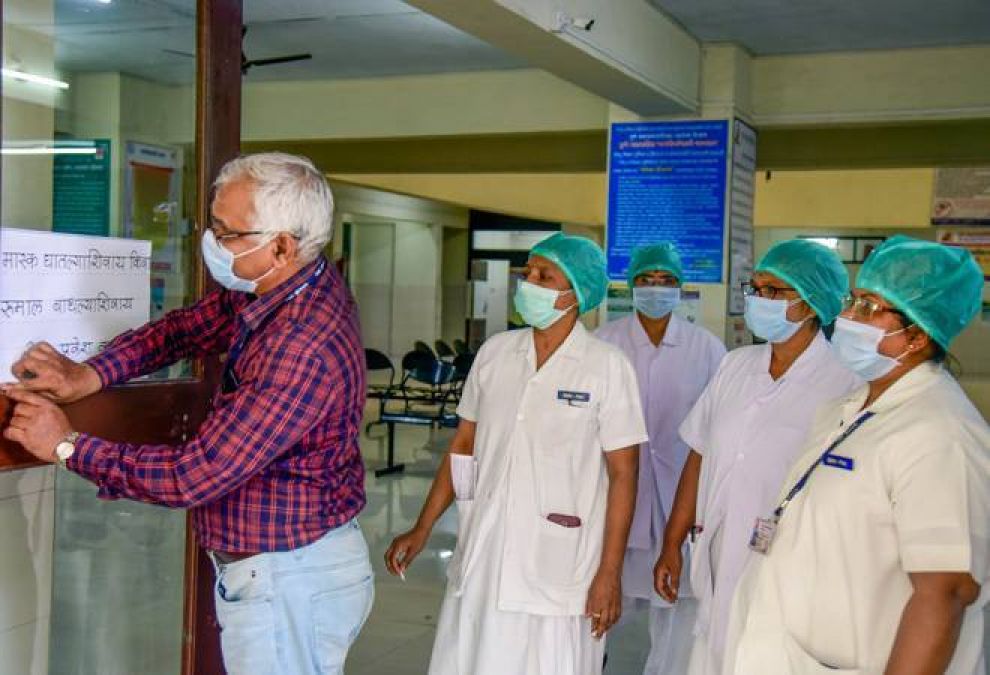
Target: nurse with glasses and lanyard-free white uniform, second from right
column 748, row 428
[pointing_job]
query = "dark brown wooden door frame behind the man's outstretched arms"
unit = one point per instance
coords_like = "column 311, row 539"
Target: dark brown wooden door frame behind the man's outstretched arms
column 170, row 412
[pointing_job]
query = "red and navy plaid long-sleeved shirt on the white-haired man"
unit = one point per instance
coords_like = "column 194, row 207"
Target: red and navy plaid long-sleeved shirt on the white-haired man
column 276, row 464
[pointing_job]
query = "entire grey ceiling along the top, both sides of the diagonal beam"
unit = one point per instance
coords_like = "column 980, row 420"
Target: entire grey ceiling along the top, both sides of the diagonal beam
column 154, row 39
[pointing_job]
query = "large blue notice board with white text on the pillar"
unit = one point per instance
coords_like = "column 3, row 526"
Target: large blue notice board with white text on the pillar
column 666, row 182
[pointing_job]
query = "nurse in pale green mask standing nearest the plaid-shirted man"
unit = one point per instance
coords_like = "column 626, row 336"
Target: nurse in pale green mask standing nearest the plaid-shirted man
column 543, row 467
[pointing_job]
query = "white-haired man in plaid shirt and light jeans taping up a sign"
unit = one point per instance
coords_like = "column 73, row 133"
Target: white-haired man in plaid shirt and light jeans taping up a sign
column 273, row 477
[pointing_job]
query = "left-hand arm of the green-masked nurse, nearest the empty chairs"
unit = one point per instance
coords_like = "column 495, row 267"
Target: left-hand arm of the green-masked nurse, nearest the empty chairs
column 407, row 546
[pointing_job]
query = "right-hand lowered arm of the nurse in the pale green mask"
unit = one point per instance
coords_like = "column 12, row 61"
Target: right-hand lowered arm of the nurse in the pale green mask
column 604, row 604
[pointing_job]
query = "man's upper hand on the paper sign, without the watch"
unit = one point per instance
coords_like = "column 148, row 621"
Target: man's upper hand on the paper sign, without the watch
column 43, row 370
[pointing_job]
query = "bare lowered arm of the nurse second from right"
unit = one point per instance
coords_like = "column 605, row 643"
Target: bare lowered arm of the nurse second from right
column 667, row 572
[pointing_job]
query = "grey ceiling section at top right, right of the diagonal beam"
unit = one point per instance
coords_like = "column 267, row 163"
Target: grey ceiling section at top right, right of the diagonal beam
column 768, row 27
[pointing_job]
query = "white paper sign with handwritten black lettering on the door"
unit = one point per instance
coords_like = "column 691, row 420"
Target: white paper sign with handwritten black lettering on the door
column 75, row 292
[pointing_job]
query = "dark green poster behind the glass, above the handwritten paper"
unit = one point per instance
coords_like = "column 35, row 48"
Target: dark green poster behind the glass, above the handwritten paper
column 81, row 187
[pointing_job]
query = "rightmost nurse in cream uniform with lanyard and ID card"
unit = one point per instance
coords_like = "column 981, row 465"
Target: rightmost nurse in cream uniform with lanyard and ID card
column 881, row 550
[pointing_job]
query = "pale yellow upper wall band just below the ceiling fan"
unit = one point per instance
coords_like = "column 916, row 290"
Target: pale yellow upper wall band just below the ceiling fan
column 426, row 105
